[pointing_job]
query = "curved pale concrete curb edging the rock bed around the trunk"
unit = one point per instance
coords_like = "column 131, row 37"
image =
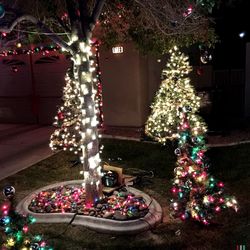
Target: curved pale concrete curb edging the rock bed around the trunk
column 103, row 225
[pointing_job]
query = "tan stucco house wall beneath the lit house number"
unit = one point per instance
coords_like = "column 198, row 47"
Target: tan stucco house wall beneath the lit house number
column 130, row 81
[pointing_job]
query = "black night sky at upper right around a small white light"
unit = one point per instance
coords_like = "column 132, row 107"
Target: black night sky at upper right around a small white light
column 230, row 21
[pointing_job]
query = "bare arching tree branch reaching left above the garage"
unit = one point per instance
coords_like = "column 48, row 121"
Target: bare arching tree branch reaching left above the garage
column 41, row 26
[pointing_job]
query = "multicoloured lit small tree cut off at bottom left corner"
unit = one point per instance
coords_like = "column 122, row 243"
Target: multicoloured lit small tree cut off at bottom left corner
column 14, row 227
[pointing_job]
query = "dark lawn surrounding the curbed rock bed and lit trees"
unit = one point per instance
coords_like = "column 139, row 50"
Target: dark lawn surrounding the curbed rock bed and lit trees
column 229, row 164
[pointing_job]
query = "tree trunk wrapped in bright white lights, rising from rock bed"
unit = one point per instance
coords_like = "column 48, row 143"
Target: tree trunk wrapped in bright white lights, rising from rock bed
column 89, row 134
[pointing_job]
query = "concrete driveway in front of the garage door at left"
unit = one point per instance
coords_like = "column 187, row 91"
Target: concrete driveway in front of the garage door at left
column 21, row 146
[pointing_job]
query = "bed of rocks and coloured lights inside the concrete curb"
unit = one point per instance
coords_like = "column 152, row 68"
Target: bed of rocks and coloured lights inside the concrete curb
column 71, row 199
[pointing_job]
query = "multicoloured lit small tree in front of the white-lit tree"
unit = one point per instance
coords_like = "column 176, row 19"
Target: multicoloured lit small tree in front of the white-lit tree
column 197, row 194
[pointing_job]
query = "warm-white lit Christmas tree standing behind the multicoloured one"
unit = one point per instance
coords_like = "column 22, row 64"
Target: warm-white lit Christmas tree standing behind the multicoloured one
column 175, row 91
